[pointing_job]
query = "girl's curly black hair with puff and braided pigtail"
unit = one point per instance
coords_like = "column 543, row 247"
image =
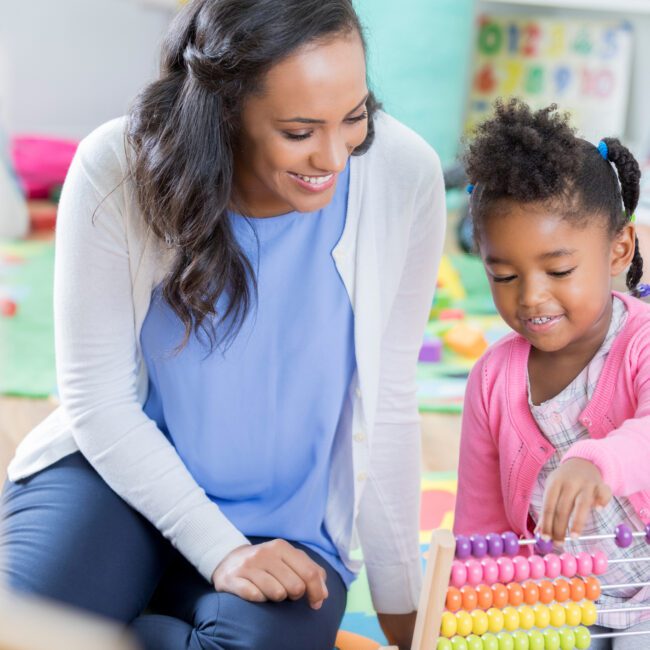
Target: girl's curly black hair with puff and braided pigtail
column 535, row 157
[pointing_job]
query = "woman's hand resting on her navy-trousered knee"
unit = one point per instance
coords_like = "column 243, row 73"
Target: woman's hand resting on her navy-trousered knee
column 272, row 570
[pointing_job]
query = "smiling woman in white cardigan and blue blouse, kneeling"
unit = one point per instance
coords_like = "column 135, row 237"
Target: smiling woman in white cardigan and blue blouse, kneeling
column 242, row 281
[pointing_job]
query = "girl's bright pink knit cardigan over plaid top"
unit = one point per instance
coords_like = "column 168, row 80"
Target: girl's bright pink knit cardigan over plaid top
column 502, row 450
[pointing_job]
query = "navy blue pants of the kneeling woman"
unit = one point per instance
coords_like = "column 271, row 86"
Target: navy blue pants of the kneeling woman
column 67, row 536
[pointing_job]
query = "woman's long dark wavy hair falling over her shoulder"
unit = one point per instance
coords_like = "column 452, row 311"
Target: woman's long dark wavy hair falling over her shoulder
column 182, row 131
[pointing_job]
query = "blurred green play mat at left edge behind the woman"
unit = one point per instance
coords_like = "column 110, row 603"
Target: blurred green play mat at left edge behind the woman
column 27, row 337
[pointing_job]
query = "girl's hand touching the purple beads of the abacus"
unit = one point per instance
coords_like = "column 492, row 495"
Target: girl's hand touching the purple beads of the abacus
column 572, row 491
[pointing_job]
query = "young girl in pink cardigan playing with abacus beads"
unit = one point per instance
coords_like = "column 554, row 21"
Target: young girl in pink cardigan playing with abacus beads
column 556, row 425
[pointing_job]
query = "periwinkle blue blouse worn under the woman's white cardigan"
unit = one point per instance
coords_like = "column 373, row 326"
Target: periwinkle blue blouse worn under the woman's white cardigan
column 255, row 420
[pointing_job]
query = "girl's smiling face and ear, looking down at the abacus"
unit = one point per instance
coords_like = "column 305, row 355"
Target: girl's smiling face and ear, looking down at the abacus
column 550, row 278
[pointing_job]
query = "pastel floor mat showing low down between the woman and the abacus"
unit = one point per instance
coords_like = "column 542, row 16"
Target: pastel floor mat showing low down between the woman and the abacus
column 437, row 511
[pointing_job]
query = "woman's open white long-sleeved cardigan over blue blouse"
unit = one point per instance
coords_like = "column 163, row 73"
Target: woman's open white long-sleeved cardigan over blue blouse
column 107, row 264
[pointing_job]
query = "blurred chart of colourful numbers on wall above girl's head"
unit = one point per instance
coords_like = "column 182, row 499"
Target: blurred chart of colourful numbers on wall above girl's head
column 582, row 65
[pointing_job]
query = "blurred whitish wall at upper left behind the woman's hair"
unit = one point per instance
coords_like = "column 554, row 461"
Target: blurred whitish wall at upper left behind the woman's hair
column 66, row 66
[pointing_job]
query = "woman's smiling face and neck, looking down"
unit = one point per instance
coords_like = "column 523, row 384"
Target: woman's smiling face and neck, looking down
column 298, row 133
